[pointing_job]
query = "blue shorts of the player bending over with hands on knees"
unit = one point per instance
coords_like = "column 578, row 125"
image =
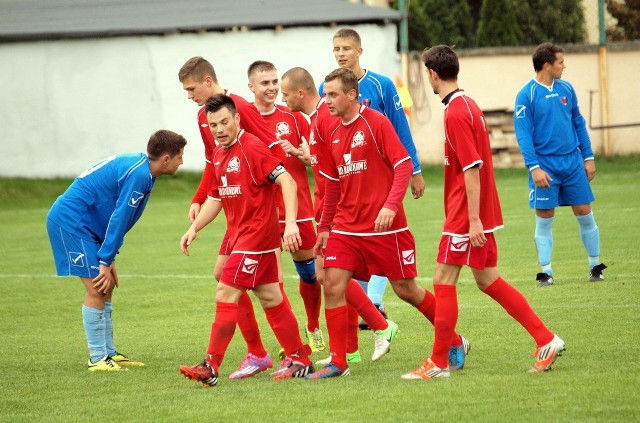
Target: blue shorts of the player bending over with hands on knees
column 73, row 256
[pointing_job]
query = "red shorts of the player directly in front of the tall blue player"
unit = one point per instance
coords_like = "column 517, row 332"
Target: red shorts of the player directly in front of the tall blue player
column 391, row 255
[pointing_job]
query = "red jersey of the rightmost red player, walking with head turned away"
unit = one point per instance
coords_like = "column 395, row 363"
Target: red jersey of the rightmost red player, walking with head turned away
column 467, row 145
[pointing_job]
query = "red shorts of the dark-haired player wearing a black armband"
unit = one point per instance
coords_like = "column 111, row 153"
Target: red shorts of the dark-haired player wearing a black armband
column 248, row 270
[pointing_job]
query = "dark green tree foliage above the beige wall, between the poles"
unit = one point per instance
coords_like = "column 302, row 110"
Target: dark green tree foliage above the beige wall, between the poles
column 489, row 23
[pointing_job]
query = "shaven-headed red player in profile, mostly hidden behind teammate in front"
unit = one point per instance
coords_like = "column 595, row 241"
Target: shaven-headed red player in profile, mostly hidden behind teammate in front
column 300, row 94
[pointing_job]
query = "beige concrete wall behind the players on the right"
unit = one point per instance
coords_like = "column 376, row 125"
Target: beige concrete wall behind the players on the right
column 493, row 79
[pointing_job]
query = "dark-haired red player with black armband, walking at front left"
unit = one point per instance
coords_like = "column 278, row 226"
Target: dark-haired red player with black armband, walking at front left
column 242, row 178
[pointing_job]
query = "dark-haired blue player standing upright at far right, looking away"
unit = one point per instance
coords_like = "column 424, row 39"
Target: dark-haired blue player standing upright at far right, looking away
column 553, row 138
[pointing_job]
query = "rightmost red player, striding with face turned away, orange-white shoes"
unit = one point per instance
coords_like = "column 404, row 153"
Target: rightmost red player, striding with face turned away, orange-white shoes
column 472, row 215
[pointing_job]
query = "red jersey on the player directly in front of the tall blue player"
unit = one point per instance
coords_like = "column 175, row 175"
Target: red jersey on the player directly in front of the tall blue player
column 363, row 156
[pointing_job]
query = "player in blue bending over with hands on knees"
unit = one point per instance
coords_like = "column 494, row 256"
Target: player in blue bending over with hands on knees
column 86, row 227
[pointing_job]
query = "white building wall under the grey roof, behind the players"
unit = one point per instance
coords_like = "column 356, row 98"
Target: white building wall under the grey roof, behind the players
column 66, row 104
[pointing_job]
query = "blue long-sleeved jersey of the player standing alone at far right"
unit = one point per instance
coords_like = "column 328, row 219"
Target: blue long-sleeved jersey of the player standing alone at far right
column 548, row 122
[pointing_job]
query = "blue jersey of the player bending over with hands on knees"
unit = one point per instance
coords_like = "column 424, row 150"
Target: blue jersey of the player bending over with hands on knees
column 105, row 201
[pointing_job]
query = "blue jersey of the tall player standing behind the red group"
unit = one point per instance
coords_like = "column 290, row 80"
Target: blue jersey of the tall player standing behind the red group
column 378, row 92
